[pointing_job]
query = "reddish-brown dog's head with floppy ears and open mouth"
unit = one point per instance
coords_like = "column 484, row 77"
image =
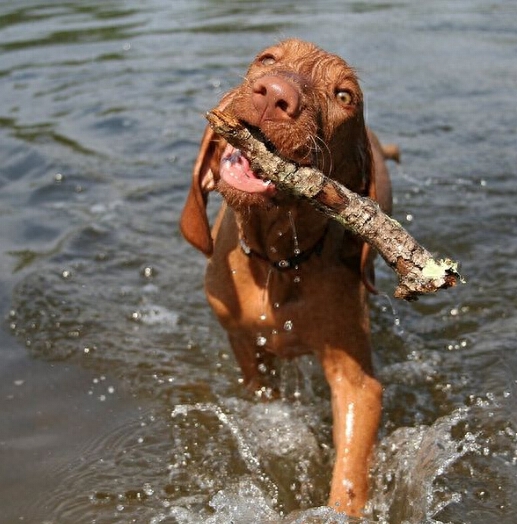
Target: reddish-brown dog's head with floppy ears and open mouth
column 308, row 105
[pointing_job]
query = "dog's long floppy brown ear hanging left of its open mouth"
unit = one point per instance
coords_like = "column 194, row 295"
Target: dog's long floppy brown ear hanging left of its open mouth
column 194, row 220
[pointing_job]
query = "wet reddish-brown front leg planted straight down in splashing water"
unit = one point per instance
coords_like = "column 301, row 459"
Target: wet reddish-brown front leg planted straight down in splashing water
column 356, row 409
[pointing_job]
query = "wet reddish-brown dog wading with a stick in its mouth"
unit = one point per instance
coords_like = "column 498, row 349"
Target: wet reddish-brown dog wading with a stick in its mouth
column 283, row 279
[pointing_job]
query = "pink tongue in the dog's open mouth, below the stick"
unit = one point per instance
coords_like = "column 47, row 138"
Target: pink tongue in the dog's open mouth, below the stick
column 236, row 171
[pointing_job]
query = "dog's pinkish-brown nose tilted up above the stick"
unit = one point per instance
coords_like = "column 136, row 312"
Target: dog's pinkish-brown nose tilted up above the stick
column 276, row 98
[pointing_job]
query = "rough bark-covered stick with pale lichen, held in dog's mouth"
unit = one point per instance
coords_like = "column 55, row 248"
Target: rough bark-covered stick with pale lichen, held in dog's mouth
column 418, row 272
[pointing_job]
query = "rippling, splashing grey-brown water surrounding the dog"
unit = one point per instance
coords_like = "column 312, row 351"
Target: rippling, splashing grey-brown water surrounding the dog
column 120, row 399
